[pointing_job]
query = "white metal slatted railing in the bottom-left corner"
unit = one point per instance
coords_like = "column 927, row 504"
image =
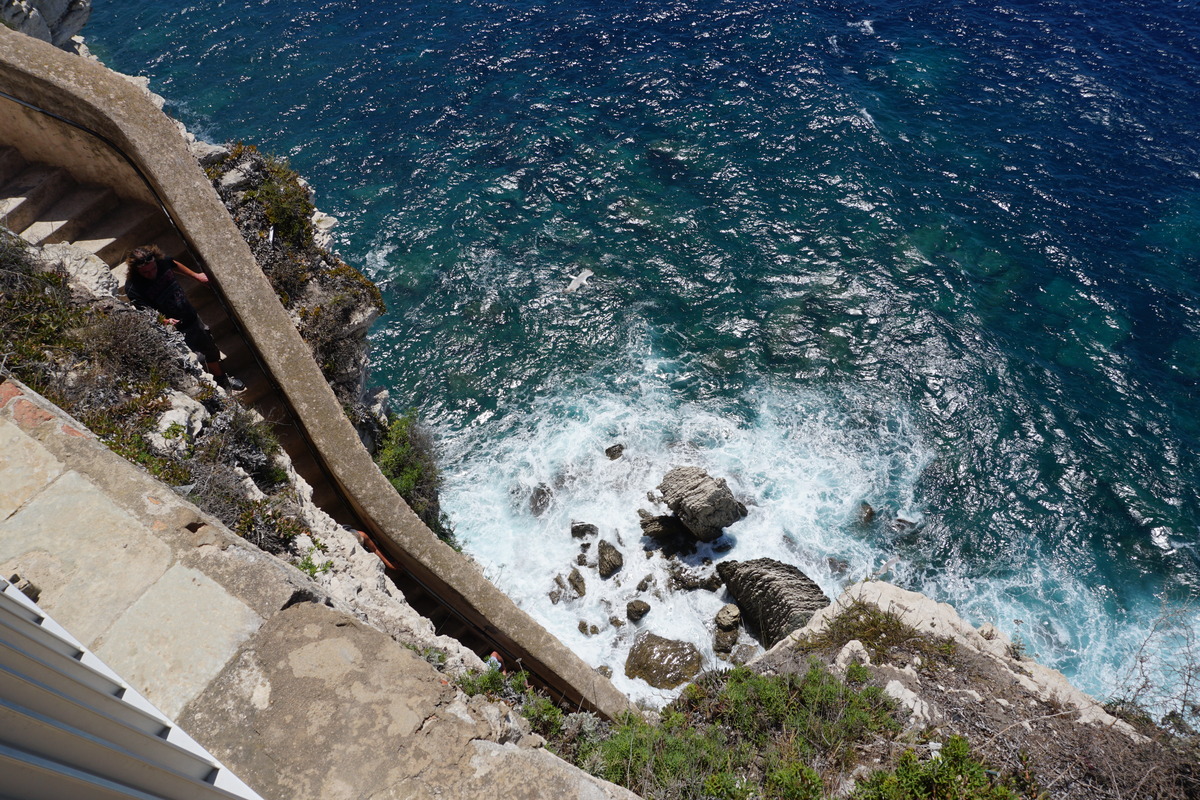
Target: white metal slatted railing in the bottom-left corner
column 70, row 727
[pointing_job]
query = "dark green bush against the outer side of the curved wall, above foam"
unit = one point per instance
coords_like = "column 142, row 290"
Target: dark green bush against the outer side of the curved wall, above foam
column 406, row 460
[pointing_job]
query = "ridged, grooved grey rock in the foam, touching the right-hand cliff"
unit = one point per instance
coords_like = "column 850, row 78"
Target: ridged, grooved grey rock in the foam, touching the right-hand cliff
column 775, row 598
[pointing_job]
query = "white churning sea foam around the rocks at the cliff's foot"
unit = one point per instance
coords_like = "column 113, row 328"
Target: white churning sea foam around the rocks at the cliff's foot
column 800, row 466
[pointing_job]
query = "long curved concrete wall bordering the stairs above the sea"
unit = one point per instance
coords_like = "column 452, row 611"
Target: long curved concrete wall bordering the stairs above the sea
column 91, row 95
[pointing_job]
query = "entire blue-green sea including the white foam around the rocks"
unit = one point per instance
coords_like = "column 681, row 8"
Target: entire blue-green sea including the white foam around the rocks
column 940, row 258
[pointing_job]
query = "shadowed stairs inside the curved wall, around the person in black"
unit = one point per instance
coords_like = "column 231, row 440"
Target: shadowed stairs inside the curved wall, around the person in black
column 46, row 206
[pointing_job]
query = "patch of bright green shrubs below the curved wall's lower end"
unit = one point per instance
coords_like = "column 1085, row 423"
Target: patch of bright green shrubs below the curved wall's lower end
column 741, row 735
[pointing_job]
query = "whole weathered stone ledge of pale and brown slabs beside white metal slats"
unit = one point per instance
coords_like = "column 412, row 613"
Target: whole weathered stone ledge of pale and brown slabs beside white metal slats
column 297, row 699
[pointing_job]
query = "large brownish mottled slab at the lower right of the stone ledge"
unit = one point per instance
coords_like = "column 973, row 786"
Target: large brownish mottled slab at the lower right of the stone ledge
column 299, row 703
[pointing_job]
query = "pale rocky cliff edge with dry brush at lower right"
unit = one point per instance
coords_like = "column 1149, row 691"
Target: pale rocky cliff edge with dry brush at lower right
column 955, row 679
